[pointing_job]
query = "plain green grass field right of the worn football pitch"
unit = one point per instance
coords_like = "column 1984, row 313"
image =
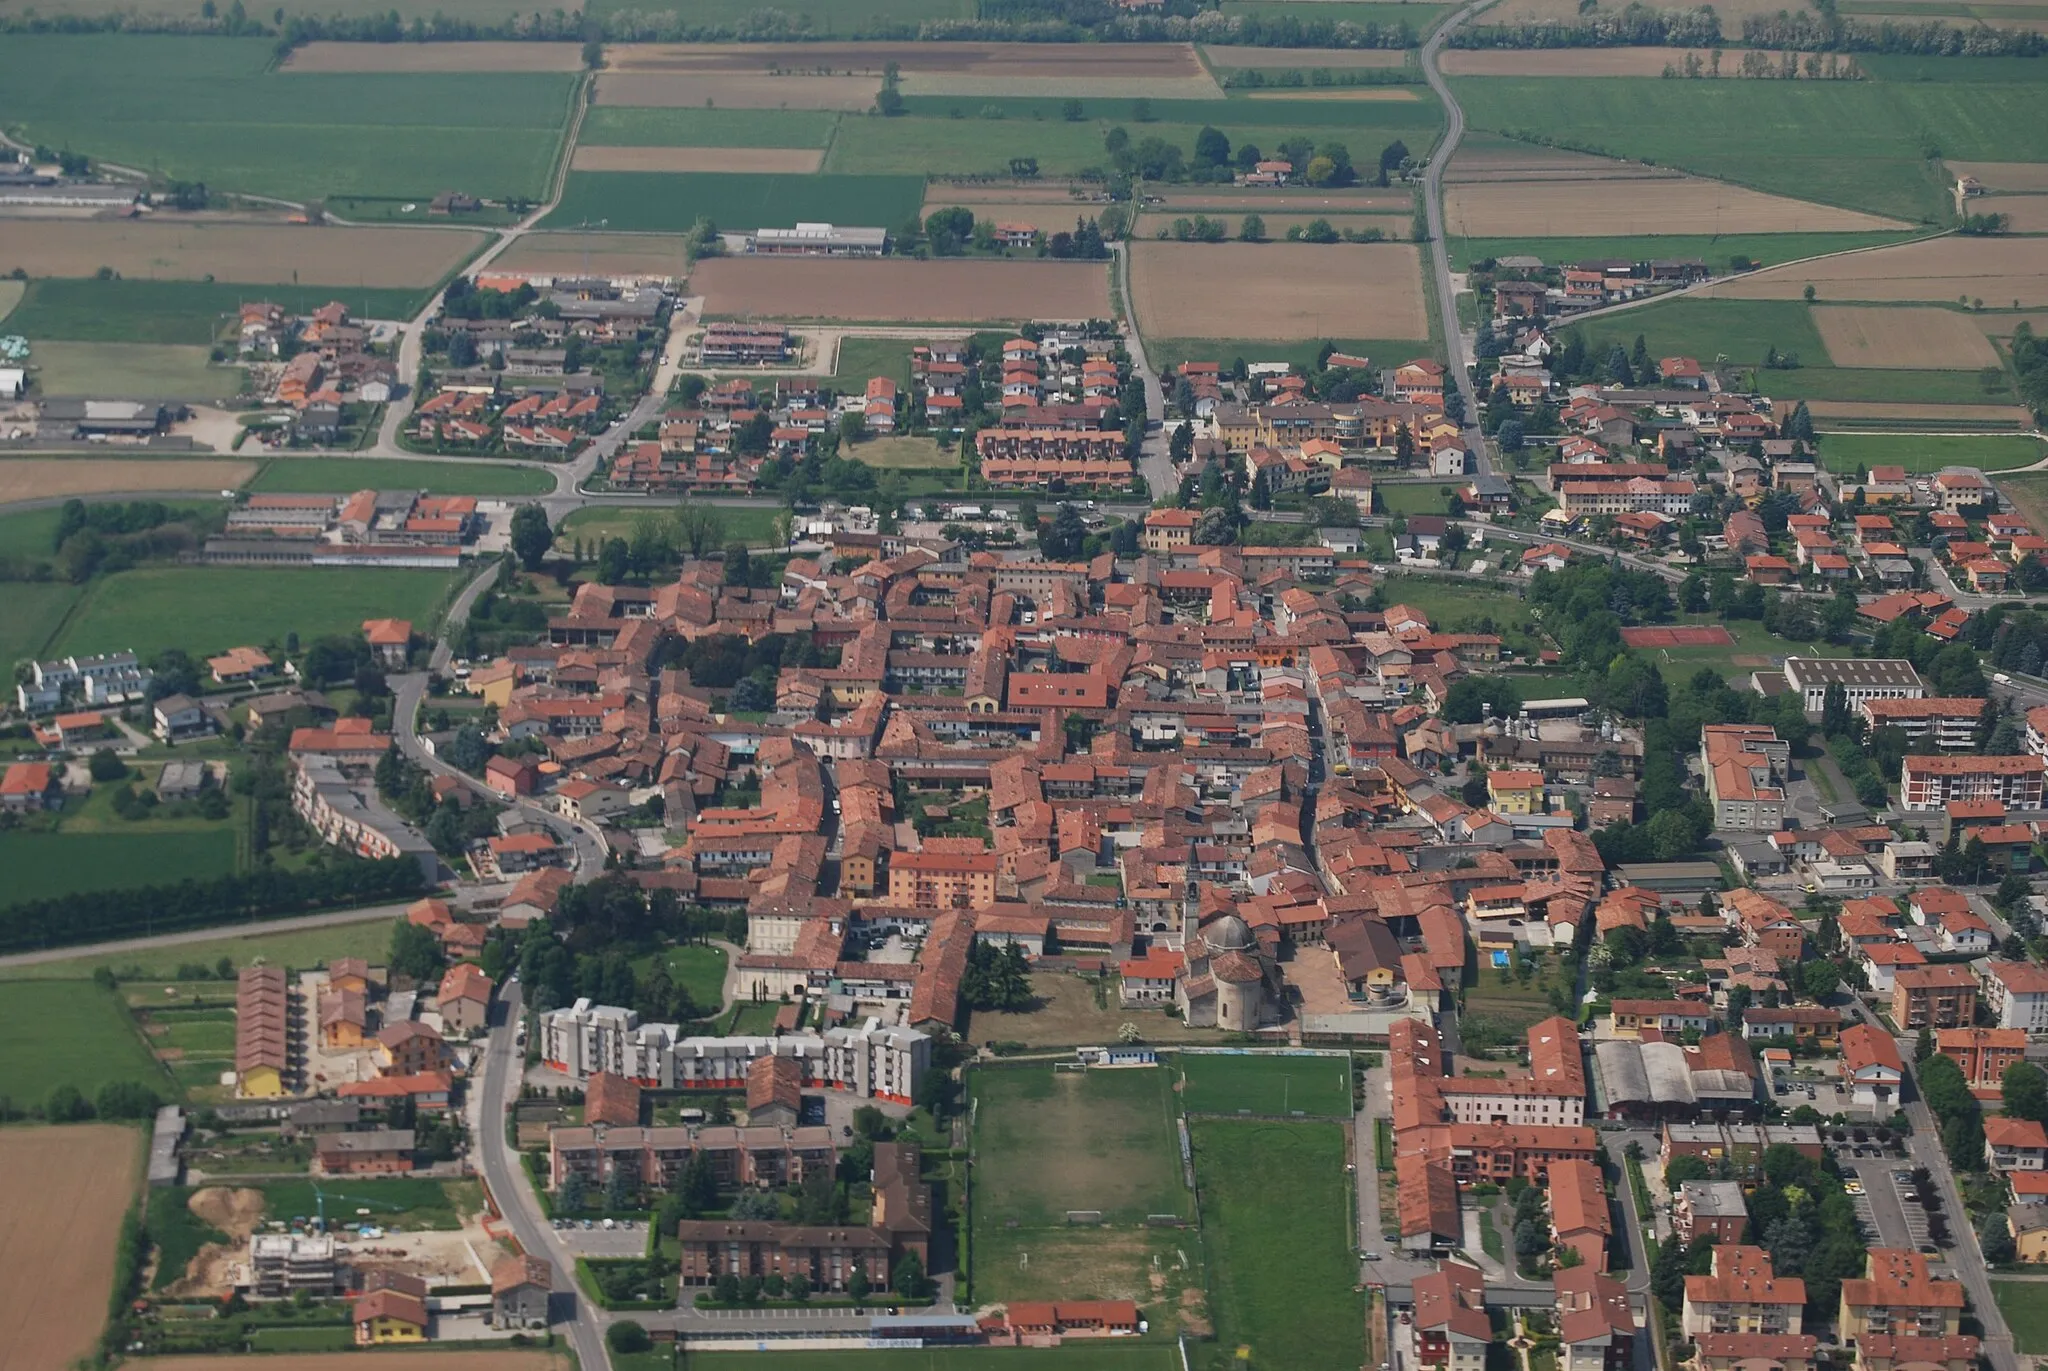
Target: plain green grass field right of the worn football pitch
column 1281, row 1265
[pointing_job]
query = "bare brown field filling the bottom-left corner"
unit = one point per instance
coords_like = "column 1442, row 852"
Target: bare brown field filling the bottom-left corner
column 73, row 1181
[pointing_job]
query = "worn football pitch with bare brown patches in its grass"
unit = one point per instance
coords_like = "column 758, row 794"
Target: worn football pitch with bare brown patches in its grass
column 1115, row 1138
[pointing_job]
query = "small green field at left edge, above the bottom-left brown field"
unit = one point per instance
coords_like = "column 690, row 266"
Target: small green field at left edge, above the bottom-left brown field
column 69, row 1034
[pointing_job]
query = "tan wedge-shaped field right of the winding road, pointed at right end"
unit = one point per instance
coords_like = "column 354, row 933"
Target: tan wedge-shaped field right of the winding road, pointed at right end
column 1678, row 206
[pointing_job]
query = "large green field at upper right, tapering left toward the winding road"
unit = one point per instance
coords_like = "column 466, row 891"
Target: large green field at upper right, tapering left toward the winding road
column 1857, row 144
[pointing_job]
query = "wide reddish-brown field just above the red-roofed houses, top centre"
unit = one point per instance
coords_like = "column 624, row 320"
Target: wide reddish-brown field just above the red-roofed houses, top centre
column 939, row 292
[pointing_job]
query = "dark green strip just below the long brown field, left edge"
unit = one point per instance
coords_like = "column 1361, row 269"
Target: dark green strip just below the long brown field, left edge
column 189, row 313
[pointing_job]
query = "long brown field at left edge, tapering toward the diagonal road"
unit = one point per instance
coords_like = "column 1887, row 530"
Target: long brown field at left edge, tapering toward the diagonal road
column 255, row 253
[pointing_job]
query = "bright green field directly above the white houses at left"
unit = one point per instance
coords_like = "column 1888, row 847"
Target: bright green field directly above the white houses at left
column 214, row 608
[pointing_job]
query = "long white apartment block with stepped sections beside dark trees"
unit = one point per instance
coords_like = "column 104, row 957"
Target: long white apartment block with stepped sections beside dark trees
column 869, row 1061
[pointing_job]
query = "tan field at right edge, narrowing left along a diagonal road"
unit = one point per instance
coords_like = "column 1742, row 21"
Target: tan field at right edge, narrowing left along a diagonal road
column 2000, row 272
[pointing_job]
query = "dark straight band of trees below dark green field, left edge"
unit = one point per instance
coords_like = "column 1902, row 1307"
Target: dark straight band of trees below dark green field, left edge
column 265, row 892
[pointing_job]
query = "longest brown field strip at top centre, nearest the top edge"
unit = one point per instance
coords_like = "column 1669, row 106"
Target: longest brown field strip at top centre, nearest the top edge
column 1046, row 60
